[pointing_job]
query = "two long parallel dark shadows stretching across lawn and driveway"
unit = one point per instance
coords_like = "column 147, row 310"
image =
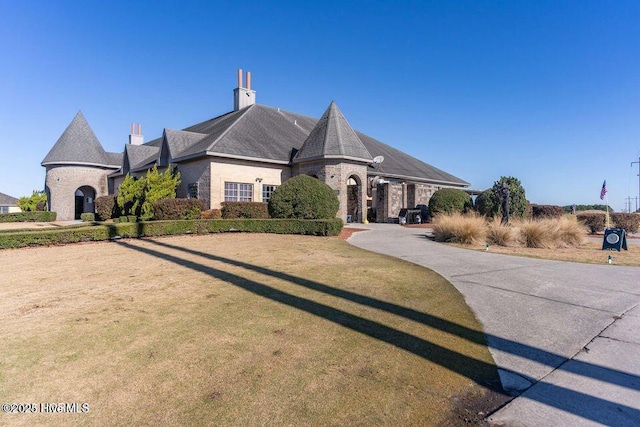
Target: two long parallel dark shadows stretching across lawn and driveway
column 480, row 372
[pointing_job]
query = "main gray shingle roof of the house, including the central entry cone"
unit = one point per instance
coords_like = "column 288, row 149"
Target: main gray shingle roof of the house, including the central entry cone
column 268, row 134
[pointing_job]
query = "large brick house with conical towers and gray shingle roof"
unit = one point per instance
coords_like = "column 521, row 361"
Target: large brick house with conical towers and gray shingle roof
column 244, row 155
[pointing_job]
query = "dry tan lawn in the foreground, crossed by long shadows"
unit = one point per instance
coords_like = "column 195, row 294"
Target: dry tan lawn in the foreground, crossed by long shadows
column 235, row 329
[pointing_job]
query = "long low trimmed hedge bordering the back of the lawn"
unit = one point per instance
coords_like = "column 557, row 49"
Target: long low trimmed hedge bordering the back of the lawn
column 58, row 236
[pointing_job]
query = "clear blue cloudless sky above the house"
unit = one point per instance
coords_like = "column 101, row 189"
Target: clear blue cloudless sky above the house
column 545, row 91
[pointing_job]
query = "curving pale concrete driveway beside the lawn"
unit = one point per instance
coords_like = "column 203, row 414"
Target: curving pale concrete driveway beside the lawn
column 565, row 336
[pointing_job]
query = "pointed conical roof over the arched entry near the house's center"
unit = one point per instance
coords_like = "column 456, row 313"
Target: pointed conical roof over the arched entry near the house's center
column 333, row 138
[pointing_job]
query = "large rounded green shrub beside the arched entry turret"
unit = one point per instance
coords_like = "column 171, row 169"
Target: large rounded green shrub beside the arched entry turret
column 303, row 197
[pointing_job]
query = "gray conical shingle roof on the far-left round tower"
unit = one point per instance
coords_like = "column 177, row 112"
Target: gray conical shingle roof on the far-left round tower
column 79, row 145
